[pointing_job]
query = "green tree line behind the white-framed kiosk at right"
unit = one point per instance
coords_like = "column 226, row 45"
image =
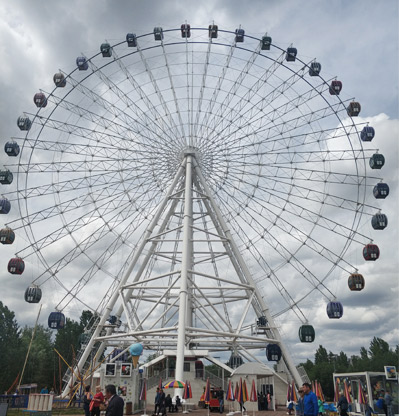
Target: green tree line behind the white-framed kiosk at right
column 326, row 363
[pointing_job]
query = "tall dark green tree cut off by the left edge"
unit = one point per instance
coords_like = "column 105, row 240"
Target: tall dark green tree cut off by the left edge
column 9, row 345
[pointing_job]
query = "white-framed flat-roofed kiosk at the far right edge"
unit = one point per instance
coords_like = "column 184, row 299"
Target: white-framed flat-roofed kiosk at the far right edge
column 372, row 384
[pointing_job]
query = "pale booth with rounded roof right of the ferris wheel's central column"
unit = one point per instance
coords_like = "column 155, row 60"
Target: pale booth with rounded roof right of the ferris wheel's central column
column 266, row 381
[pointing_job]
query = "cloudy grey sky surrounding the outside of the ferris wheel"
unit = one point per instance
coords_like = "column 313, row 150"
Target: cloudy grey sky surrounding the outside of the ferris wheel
column 357, row 41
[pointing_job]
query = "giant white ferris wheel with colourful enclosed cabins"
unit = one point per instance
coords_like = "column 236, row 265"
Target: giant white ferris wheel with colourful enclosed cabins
column 283, row 180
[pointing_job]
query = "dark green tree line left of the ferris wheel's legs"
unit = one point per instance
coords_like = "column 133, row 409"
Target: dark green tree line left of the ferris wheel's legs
column 44, row 366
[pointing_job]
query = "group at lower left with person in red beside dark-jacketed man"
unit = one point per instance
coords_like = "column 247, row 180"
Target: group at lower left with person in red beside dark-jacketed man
column 113, row 403
